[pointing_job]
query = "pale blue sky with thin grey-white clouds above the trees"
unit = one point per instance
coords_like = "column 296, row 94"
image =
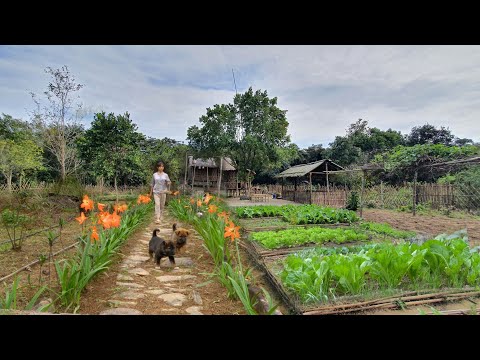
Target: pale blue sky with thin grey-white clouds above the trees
column 324, row 88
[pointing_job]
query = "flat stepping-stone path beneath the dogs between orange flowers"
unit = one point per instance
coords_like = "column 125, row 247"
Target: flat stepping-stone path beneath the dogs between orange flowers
column 174, row 286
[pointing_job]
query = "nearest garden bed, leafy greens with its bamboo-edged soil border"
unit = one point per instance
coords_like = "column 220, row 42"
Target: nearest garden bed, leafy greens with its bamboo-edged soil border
column 375, row 276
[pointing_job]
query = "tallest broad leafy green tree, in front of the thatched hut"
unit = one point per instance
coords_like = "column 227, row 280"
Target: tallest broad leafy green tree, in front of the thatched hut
column 251, row 132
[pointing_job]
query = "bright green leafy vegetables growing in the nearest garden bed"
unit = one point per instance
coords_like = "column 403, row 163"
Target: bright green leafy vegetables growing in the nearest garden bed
column 322, row 274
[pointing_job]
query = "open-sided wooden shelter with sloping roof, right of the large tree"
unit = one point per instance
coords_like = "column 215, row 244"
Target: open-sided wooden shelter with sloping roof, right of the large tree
column 318, row 169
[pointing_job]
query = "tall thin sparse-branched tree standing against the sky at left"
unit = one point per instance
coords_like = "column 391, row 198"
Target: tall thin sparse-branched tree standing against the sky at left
column 54, row 120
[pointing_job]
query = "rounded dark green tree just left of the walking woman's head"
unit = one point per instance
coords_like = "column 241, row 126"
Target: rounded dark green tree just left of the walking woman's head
column 110, row 149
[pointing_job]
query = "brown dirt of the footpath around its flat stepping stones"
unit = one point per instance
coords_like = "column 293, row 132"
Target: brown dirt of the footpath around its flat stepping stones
column 213, row 295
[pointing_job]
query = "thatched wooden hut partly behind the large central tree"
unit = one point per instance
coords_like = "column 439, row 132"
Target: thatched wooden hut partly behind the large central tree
column 205, row 173
